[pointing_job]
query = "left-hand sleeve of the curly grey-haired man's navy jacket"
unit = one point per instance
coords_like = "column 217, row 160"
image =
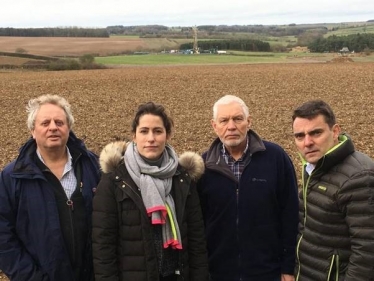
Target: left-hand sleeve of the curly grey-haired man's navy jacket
column 15, row 261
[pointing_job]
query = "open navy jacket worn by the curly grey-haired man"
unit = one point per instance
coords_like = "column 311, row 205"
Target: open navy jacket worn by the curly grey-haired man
column 32, row 246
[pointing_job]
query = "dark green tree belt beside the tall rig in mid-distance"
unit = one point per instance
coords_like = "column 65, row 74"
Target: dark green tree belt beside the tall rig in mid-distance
column 239, row 45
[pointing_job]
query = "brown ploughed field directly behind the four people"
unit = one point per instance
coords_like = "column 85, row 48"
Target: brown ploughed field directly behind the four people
column 104, row 101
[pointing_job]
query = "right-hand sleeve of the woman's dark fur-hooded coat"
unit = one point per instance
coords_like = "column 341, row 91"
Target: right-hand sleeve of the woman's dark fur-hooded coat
column 197, row 249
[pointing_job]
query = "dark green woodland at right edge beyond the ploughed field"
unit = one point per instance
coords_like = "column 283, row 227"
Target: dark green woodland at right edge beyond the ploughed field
column 354, row 42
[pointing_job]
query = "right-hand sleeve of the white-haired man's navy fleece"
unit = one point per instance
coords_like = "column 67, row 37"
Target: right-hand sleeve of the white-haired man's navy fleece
column 289, row 203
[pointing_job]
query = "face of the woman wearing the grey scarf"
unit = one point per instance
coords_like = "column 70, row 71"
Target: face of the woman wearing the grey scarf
column 150, row 136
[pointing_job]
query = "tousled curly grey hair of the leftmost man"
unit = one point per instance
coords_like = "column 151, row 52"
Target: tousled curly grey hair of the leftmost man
column 34, row 105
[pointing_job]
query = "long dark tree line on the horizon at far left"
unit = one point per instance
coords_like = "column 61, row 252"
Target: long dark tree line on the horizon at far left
column 54, row 32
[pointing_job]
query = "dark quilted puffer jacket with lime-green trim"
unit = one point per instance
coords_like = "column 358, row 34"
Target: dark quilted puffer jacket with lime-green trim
column 336, row 240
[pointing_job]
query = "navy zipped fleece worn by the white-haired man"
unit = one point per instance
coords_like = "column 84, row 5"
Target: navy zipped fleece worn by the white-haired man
column 251, row 225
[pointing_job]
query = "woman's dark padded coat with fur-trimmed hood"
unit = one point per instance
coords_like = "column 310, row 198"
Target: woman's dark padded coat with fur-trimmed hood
column 123, row 245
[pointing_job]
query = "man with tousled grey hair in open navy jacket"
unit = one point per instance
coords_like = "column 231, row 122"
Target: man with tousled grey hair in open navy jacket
column 46, row 200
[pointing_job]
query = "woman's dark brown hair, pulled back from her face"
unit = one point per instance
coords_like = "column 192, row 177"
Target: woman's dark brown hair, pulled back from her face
column 153, row 109
